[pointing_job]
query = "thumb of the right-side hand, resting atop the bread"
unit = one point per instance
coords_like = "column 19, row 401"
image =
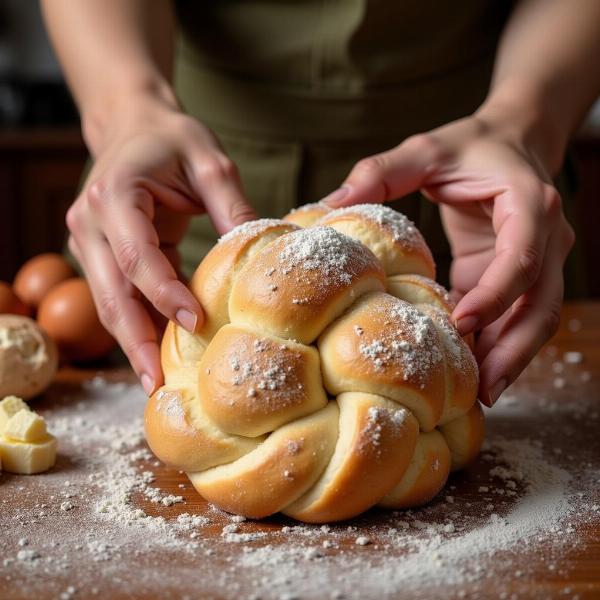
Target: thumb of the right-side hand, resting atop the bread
column 392, row 174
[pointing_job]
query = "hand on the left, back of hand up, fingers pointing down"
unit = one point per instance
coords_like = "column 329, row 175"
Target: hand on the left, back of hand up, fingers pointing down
column 155, row 168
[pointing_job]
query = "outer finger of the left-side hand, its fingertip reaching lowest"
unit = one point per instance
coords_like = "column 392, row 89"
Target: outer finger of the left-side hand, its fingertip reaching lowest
column 123, row 314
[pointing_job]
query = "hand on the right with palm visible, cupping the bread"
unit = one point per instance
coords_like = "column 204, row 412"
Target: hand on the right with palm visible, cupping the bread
column 508, row 235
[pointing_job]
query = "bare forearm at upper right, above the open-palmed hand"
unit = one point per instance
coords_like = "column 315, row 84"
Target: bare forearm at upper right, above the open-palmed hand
column 546, row 74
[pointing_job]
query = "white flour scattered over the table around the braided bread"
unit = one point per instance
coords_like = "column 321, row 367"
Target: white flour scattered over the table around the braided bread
column 85, row 520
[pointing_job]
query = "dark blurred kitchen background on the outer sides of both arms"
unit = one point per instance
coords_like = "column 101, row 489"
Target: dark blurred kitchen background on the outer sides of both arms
column 42, row 154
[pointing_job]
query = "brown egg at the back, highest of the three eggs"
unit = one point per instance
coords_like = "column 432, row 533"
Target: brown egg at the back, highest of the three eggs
column 39, row 275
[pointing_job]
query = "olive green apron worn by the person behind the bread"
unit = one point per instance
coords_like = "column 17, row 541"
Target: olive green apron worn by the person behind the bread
column 298, row 91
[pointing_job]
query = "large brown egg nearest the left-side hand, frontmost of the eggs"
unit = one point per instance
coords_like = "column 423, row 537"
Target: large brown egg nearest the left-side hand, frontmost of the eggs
column 68, row 315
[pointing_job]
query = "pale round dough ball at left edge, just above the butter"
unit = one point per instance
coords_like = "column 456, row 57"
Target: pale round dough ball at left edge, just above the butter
column 28, row 357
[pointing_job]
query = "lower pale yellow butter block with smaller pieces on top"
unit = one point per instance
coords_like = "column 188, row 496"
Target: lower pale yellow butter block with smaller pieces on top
column 28, row 458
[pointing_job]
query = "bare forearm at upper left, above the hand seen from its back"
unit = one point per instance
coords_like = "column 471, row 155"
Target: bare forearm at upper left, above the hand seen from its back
column 113, row 53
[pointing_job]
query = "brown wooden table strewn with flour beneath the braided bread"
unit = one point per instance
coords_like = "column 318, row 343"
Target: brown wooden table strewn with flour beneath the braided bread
column 553, row 410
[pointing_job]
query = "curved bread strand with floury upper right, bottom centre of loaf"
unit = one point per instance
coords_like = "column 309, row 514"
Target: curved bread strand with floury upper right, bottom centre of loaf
column 376, row 441
